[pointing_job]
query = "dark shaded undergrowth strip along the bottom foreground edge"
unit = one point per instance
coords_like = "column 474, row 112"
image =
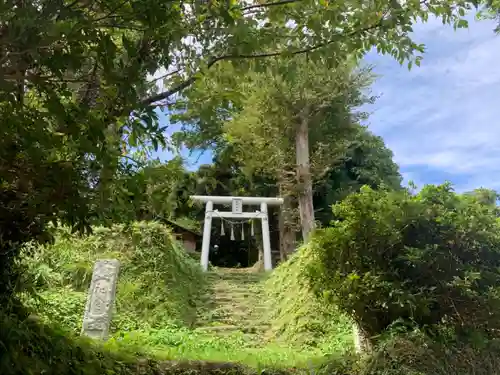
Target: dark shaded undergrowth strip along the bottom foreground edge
column 42, row 349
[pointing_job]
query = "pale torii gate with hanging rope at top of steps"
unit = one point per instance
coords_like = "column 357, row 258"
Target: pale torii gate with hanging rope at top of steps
column 236, row 213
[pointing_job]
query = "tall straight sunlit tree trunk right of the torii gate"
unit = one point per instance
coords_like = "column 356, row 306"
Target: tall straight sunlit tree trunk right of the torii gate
column 304, row 179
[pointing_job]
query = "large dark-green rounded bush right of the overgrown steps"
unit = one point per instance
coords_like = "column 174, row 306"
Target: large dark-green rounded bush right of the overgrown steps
column 423, row 260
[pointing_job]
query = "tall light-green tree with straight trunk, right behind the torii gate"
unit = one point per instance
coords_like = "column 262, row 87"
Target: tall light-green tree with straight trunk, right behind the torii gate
column 296, row 120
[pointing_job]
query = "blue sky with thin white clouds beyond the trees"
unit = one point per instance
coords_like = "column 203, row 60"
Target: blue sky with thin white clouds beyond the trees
column 439, row 119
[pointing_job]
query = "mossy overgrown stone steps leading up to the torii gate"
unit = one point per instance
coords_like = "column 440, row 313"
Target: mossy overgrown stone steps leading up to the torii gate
column 234, row 303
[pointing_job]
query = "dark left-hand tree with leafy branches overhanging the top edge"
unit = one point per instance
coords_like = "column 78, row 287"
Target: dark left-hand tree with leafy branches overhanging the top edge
column 75, row 93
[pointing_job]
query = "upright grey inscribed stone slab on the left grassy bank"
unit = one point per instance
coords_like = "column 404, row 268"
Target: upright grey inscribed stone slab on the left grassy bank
column 100, row 299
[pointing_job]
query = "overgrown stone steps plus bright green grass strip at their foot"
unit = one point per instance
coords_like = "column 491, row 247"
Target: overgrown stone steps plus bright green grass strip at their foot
column 232, row 327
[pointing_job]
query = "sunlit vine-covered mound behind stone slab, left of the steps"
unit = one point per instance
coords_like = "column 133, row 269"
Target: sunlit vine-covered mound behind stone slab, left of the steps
column 158, row 282
